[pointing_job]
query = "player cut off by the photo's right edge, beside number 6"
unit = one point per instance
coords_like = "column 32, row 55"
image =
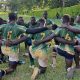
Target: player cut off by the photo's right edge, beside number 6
column 76, row 29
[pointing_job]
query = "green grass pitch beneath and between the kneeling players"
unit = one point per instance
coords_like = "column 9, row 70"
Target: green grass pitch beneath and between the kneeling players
column 23, row 72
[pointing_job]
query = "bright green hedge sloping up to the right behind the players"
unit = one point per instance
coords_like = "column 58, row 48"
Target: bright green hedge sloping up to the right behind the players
column 73, row 11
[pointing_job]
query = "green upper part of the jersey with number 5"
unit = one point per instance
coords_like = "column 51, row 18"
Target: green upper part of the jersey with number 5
column 11, row 32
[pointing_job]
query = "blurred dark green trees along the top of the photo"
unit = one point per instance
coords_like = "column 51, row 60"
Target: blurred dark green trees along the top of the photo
column 20, row 5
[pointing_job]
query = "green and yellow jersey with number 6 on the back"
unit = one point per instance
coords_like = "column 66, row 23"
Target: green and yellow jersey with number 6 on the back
column 69, row 36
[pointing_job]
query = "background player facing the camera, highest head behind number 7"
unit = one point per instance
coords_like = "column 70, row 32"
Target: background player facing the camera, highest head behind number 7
column 48, row 22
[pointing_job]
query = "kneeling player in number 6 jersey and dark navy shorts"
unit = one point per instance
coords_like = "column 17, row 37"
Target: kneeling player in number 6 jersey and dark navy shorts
column 64, row 49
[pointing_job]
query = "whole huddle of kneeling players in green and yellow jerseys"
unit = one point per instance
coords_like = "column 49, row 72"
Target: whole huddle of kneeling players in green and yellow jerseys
column 41, row 38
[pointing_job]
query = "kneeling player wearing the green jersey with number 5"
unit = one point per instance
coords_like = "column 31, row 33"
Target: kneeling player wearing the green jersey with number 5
column 11, row 31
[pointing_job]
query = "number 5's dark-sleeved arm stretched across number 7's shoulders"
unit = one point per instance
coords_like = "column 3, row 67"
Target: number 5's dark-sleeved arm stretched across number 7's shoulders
column 35, row 30
